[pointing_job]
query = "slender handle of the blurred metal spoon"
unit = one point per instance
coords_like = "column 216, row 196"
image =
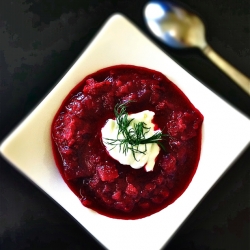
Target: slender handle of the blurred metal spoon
column 233, row 73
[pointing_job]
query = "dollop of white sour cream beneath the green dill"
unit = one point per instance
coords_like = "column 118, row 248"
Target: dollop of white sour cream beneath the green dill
column 147, row 159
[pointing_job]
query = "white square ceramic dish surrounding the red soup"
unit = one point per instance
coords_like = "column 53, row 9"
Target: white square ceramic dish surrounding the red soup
column 151, row 232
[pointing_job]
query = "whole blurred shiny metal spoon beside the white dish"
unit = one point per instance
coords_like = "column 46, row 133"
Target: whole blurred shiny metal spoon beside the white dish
column 179, row 28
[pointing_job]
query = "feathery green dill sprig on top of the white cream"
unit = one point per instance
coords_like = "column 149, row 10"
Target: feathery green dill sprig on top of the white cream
column 133, row 136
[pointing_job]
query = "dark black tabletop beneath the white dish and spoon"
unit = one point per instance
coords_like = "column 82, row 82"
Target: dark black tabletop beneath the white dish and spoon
column 39, row 40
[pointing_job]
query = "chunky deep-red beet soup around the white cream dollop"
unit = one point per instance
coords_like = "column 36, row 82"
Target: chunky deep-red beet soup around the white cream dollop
column 101, row 182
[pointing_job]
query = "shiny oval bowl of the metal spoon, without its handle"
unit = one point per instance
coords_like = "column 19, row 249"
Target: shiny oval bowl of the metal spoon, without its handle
column 175, row 26
